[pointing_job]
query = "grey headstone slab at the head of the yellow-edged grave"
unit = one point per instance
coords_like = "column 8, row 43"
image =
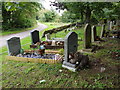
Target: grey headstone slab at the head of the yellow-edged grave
column 13, row 46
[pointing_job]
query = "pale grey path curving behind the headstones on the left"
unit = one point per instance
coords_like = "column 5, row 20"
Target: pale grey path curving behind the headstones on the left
column 21, row 34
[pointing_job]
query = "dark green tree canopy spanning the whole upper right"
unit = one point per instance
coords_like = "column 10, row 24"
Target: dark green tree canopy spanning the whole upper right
column 89, row 10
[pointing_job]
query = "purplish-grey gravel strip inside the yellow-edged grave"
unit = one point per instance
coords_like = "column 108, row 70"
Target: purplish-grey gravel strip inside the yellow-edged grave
column 45, row 56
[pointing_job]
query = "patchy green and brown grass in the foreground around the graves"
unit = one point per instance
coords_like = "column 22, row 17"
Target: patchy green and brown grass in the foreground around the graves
column 28, row 75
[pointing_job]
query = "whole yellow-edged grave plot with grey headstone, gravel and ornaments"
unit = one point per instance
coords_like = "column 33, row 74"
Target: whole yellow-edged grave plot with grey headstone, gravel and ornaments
column 38, row 53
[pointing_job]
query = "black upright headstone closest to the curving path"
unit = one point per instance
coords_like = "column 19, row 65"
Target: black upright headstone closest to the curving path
column 35, row 36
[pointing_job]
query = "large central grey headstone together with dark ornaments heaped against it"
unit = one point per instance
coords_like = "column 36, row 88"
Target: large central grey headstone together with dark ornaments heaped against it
column 73, row 60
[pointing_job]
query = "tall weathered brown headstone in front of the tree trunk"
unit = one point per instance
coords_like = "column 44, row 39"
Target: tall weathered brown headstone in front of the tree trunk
column 87, row 36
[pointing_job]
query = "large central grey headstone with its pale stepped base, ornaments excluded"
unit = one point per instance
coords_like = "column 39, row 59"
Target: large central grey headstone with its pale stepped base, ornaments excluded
column 70, row 46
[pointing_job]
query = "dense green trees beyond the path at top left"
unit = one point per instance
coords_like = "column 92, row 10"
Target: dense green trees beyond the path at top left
column 19, row 14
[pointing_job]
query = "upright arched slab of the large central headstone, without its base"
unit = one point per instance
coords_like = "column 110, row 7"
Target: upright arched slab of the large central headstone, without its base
column 70, row 44
